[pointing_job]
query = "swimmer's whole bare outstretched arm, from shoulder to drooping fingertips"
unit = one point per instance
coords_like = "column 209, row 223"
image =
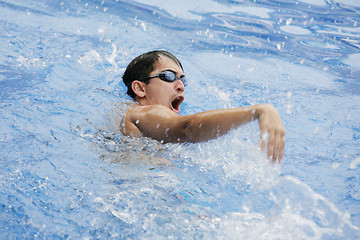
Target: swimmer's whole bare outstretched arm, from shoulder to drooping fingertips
column 161, row 123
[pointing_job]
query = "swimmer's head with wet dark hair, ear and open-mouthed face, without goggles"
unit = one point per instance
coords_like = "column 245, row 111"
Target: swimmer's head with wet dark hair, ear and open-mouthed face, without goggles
column 154, row 90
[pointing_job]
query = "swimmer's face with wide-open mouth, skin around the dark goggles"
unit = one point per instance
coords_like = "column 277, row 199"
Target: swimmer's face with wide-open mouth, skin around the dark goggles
column 168, row 94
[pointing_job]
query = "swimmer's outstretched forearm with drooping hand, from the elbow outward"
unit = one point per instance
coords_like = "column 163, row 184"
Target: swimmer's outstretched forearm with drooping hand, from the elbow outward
column 211, row 124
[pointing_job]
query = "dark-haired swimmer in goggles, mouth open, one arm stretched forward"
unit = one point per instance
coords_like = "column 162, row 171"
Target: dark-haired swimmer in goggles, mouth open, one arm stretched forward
column 156, row 82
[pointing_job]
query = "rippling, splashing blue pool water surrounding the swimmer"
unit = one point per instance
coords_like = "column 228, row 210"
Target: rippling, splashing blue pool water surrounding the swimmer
column 66, row 173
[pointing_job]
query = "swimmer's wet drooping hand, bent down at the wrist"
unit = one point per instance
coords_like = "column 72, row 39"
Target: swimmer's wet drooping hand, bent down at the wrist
column 272, row 132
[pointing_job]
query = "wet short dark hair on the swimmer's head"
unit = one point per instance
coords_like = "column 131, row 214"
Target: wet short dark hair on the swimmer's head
column 141, row 67
